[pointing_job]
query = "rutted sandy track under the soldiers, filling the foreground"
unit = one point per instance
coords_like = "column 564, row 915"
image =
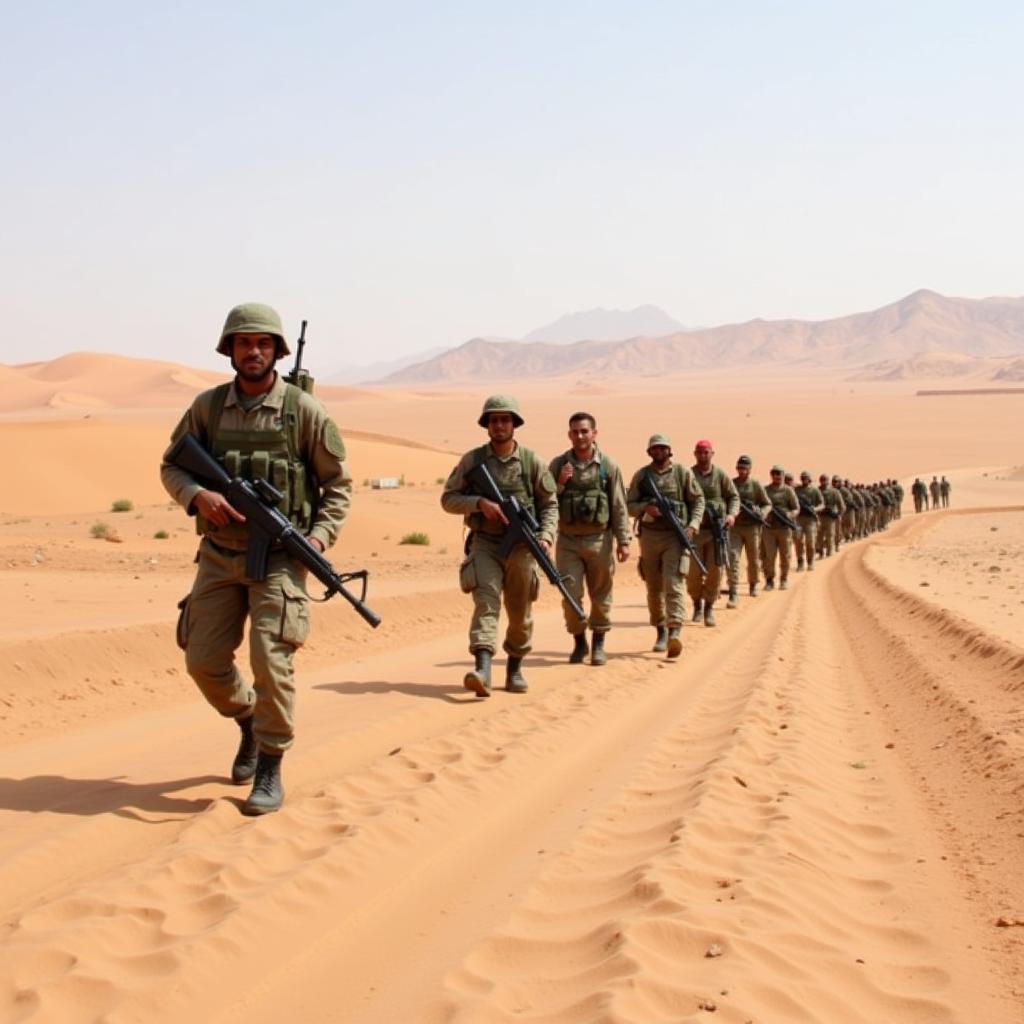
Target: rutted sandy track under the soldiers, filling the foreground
column 796, row 792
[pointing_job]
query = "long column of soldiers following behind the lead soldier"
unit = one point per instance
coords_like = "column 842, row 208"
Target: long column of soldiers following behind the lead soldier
column 581, row 511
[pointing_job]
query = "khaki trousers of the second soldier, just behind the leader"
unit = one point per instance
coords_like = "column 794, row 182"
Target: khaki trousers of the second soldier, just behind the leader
column 489, row 578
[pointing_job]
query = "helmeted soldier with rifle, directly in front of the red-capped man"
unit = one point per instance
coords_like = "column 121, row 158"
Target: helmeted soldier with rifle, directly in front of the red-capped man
column 663, row 561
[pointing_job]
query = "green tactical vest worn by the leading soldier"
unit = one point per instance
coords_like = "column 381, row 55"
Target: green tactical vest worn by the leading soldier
column 269, row 455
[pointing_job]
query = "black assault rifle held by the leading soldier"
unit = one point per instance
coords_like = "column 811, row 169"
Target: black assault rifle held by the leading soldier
column 258, row 501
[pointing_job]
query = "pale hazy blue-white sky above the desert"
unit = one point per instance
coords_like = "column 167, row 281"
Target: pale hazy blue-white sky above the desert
column 407, row 176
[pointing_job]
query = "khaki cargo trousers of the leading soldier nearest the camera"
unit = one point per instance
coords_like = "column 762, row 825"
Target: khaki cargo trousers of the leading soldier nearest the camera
column 211, row 628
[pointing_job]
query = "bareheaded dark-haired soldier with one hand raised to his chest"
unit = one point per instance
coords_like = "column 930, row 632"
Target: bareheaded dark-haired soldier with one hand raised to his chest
column 592, row 519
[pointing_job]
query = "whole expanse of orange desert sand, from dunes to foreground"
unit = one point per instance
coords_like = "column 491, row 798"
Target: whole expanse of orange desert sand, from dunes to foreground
column 817, row 816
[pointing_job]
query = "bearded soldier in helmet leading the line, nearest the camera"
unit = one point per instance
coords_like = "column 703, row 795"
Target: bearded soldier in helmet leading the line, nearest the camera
column 257, row 426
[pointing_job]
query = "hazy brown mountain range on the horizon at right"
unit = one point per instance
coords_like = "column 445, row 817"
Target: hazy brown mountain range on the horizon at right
column 923, row 322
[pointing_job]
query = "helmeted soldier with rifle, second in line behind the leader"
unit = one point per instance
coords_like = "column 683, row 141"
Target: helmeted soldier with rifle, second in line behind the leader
column 485, row 573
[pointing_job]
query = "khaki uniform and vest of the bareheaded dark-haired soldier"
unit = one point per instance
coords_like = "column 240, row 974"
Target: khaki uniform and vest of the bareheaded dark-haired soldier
column 592, row 520
